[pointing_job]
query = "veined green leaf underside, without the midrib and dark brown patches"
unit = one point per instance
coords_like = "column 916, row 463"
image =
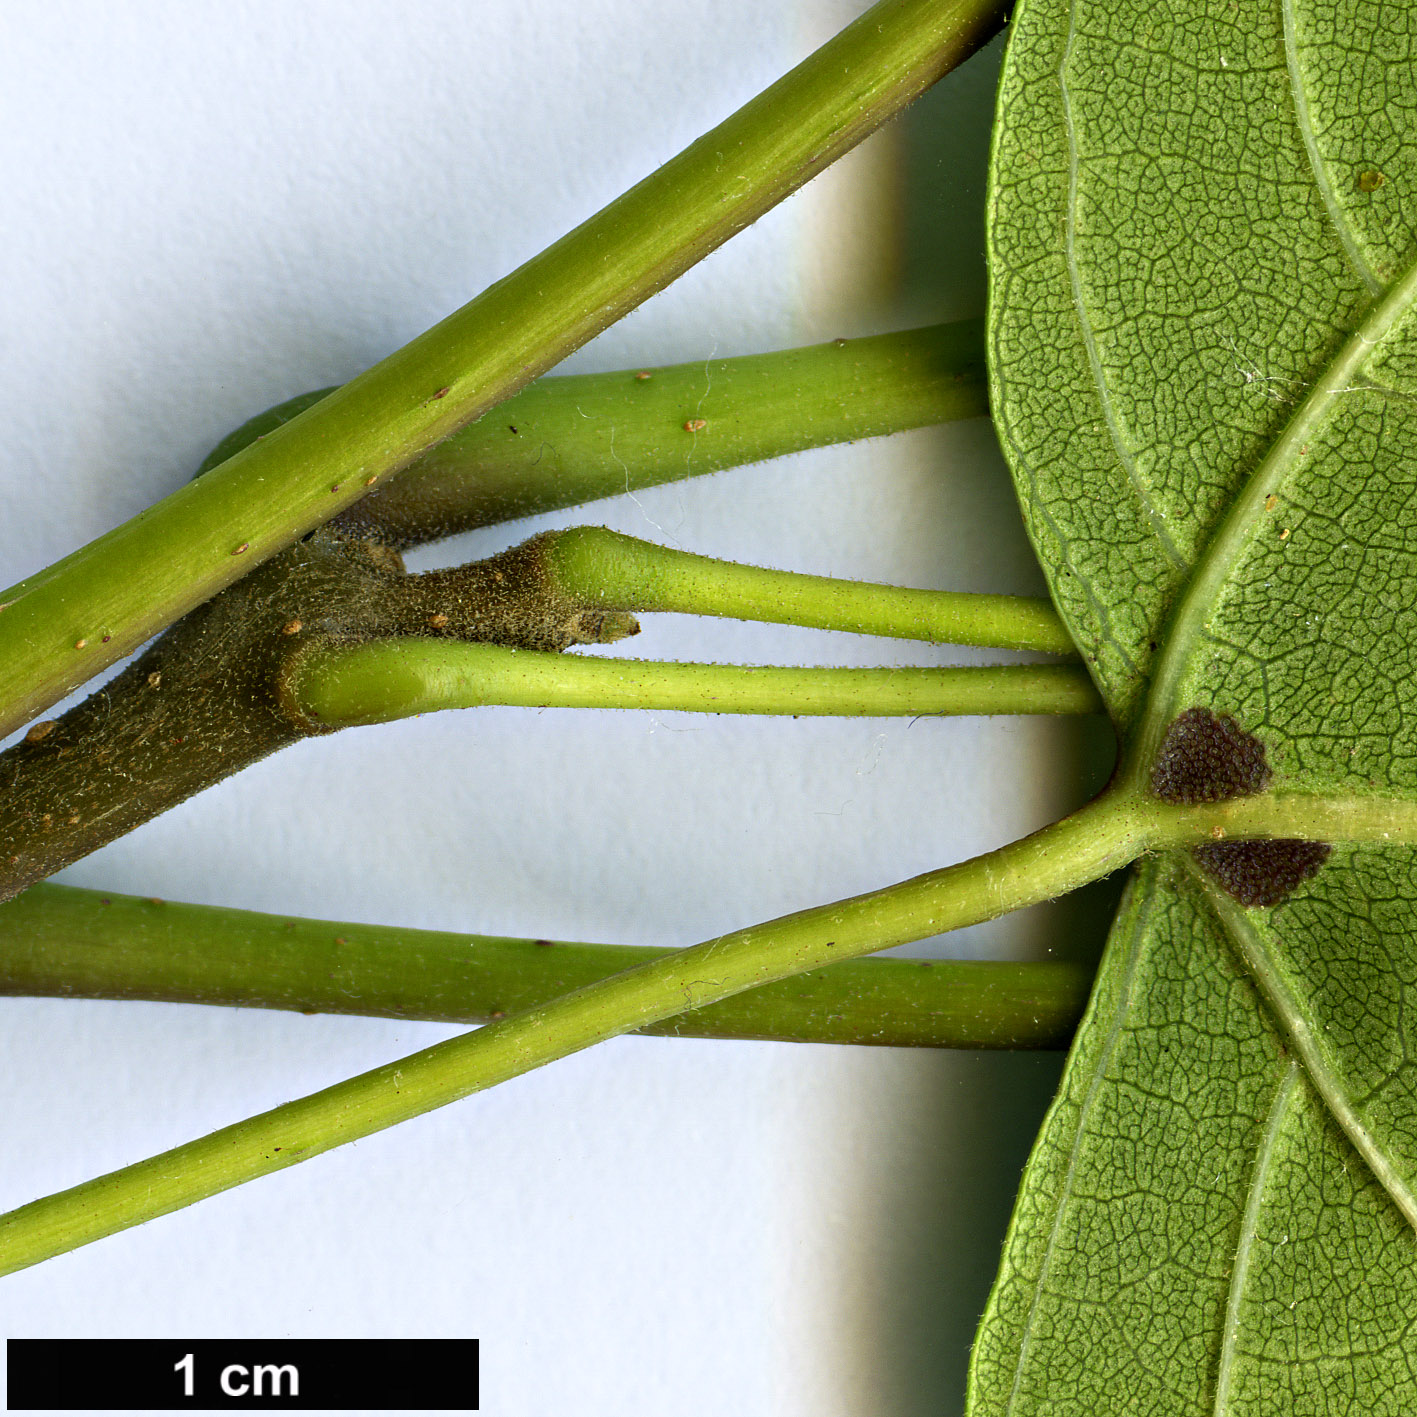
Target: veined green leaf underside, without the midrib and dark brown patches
column 1204, row 348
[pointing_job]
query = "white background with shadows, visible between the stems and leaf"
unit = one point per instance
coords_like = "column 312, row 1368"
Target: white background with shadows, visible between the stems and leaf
column 212, row 208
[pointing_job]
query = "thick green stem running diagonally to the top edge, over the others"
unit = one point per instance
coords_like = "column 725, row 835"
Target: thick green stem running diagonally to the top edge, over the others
column 80, row 616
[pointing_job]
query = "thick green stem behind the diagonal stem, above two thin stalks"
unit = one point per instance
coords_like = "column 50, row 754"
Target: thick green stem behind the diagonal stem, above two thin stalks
column 575, row 439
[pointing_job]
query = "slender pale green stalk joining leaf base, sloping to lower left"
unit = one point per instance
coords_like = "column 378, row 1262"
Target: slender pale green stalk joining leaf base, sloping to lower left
column 1096, row 841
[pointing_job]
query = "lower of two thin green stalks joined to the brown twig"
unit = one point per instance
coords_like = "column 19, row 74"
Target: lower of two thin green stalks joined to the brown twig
column 386, row 679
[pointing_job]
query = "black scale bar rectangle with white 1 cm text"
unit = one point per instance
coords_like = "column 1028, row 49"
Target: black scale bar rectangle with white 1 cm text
column 259, row 1375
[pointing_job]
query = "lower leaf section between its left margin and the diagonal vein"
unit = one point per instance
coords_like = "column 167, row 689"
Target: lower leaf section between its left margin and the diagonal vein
column 1180, row 1246
